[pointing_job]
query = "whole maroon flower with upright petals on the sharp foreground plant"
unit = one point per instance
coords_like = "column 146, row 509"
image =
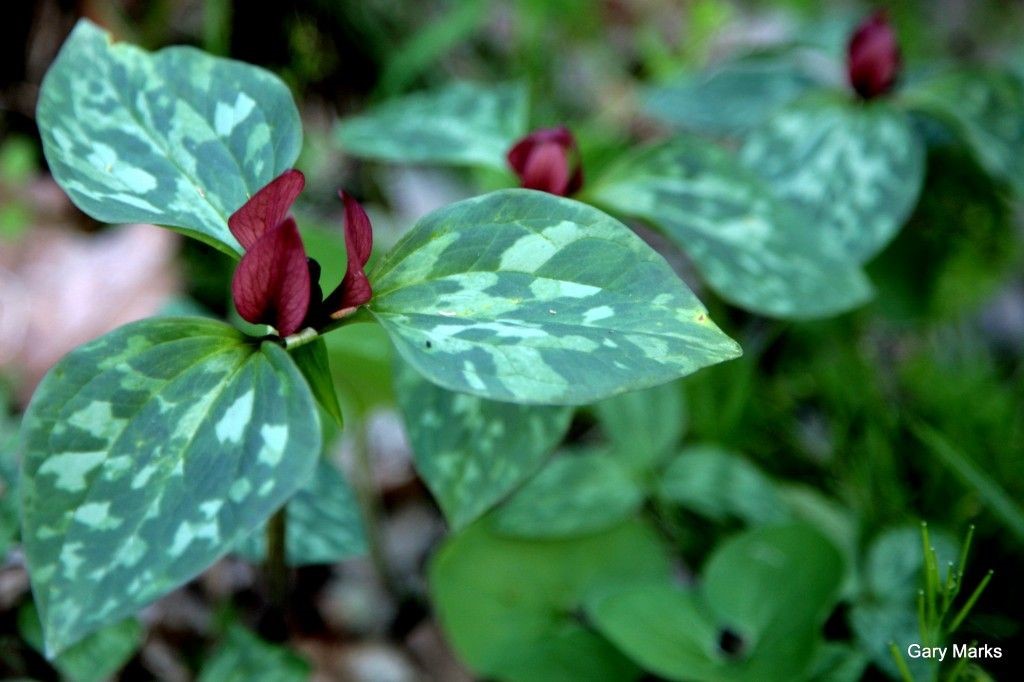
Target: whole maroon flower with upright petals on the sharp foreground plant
column 276, row 284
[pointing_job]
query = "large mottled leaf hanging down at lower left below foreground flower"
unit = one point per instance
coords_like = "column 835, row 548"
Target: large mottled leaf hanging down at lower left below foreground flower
column 149, row 454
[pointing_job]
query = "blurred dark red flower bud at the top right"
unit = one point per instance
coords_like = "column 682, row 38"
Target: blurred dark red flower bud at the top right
column 874, row 57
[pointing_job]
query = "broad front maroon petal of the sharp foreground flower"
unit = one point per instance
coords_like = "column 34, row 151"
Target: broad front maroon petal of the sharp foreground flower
column 272, row 283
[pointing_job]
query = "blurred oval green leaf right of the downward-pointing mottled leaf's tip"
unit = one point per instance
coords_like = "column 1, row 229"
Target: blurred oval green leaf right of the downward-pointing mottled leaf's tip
column 573, row 495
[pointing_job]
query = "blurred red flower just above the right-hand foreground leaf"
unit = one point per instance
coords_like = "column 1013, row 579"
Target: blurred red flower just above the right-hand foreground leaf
column 548, row 160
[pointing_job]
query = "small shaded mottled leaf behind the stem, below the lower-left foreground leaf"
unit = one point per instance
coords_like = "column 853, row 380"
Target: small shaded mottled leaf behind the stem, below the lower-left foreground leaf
column 324, row 524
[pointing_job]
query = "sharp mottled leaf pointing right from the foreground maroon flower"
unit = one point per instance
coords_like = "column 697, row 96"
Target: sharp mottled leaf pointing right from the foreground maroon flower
column 526, row 297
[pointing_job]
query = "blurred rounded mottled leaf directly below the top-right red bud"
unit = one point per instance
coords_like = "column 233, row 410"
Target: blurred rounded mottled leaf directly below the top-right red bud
column 856, row 169
